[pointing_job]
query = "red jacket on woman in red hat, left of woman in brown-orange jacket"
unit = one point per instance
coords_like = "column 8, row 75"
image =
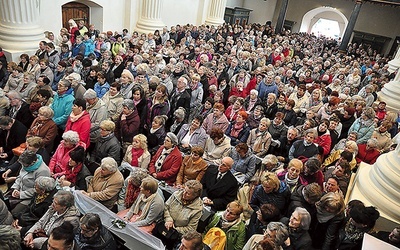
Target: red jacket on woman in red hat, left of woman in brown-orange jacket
column 170, row 167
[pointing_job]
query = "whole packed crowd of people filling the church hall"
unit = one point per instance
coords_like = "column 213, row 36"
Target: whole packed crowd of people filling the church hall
column 256, row 133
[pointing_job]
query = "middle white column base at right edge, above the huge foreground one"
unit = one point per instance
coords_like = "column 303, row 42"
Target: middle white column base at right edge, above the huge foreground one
column 390, row 94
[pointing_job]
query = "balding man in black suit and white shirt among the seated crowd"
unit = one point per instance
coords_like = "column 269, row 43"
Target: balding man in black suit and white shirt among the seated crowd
column 219, row 185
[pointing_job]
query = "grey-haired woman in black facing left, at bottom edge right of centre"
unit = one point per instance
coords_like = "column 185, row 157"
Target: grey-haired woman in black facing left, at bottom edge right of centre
column 298, row 224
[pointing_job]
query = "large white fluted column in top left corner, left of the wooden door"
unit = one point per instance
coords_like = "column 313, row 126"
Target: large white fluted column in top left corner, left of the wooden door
column 20, row 25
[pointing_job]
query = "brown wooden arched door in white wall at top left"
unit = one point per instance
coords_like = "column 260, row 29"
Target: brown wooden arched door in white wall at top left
column 76, row 11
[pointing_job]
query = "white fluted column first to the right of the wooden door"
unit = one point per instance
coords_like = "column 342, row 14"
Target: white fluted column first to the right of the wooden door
column 150, row 16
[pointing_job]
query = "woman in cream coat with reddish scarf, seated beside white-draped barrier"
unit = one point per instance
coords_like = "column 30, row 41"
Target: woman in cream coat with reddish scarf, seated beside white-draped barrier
column 148, row 208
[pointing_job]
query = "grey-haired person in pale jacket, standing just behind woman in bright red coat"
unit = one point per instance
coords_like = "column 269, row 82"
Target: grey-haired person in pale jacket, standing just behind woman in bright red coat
column 98, row 112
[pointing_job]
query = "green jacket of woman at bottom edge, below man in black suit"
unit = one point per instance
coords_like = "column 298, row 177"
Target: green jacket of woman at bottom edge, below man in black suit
column 235, row 236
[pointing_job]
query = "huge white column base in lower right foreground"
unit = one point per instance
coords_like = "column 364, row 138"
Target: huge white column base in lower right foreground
column 376, row 185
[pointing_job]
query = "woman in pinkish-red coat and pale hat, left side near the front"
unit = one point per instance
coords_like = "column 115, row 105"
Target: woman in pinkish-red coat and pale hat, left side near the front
column 59, row 161
